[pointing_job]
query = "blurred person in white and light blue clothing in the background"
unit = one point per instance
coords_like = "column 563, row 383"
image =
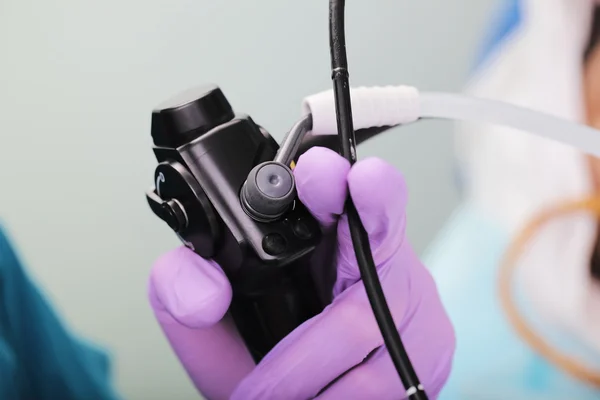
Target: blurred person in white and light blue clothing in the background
column 541, row 339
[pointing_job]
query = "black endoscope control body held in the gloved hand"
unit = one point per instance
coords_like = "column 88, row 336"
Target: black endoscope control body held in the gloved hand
column 226, row 189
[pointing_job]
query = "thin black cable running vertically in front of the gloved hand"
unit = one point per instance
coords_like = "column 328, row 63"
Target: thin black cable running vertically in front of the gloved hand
column 360, row 238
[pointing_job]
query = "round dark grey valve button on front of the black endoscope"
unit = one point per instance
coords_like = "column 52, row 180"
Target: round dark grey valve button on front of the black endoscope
column 268, row 192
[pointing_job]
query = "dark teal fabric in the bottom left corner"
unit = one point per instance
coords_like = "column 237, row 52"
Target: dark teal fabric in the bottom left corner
column 39, row 358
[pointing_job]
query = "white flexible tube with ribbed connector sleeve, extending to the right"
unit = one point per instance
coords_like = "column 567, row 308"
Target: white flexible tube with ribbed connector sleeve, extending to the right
column 398, row 105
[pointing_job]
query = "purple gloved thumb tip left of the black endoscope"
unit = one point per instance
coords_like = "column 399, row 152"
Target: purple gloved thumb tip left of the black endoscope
column 193, row 291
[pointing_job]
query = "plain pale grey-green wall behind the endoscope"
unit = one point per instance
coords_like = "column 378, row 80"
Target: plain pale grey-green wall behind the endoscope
column 78, row 80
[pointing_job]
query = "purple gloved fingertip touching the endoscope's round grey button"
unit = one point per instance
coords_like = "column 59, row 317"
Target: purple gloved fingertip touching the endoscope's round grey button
column 321, row 183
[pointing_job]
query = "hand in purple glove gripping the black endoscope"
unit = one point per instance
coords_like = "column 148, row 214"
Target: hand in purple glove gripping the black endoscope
column 190, row 297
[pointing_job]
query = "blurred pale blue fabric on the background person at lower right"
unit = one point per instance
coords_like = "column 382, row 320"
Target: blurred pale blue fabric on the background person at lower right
column 491, row 361
